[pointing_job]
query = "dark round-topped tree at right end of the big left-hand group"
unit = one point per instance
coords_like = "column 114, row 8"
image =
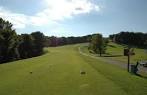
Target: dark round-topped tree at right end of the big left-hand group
column 39, row 40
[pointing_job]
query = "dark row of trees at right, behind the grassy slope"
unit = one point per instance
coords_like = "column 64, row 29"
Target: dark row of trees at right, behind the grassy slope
column 130, row 38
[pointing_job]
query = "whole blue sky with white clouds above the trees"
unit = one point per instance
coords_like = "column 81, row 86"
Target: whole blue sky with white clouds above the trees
column 75, row 17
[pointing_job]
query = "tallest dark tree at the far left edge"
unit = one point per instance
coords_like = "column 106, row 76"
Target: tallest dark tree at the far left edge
column 8, row 42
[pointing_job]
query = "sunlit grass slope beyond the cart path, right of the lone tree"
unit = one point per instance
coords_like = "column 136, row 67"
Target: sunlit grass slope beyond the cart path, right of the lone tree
column 117, row 51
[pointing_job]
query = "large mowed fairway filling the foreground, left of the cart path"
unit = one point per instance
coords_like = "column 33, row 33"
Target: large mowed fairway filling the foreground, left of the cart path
column 58, row 73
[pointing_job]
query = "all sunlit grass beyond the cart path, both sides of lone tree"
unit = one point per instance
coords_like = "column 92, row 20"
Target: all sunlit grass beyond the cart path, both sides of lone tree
column 115, row 51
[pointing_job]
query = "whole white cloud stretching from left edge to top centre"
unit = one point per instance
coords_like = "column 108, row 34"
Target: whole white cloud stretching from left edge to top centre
column 55, row 10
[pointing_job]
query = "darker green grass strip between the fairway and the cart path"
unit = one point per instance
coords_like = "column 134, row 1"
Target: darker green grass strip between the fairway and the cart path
column 132, row 84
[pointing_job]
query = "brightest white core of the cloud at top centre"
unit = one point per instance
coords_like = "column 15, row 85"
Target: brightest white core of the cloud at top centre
column 60, row 9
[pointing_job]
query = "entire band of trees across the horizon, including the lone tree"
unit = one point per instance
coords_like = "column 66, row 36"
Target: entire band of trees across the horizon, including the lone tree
column 15, row 47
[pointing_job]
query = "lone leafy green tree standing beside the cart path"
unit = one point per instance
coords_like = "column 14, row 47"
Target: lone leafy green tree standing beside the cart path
column 98, row 44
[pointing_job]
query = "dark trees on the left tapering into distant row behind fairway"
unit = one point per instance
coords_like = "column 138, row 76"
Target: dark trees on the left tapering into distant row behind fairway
column 16, row 47
